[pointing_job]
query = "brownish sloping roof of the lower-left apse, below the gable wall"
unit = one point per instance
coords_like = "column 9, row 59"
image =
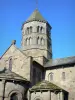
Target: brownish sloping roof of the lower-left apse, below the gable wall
column 9, row 75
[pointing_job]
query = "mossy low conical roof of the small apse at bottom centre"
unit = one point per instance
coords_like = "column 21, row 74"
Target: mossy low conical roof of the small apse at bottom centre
column 45, row 85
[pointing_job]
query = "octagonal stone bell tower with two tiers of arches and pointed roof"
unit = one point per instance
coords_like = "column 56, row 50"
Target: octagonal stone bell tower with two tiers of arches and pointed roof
column 36, row 36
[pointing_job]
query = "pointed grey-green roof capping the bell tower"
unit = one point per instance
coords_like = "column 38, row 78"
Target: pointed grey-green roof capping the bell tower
column 36, row 16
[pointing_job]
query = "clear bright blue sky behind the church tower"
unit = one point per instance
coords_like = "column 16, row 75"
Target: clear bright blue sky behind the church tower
column 59, row 13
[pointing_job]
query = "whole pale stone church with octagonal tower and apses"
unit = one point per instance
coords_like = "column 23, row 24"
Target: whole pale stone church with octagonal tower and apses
column 29, row 72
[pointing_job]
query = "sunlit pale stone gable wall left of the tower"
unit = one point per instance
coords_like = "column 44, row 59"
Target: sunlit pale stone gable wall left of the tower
column 21, row 63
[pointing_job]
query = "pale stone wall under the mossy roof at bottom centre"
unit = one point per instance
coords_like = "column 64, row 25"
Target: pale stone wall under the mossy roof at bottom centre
column 46, row 95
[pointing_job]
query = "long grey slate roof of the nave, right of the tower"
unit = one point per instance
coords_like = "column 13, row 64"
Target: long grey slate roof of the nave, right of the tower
column 61, row 61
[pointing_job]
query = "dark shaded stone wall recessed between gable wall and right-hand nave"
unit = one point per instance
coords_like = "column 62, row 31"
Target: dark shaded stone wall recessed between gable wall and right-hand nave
column 37, row 73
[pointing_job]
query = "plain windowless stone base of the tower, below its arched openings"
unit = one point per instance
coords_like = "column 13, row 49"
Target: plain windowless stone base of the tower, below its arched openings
column 38, row 55
